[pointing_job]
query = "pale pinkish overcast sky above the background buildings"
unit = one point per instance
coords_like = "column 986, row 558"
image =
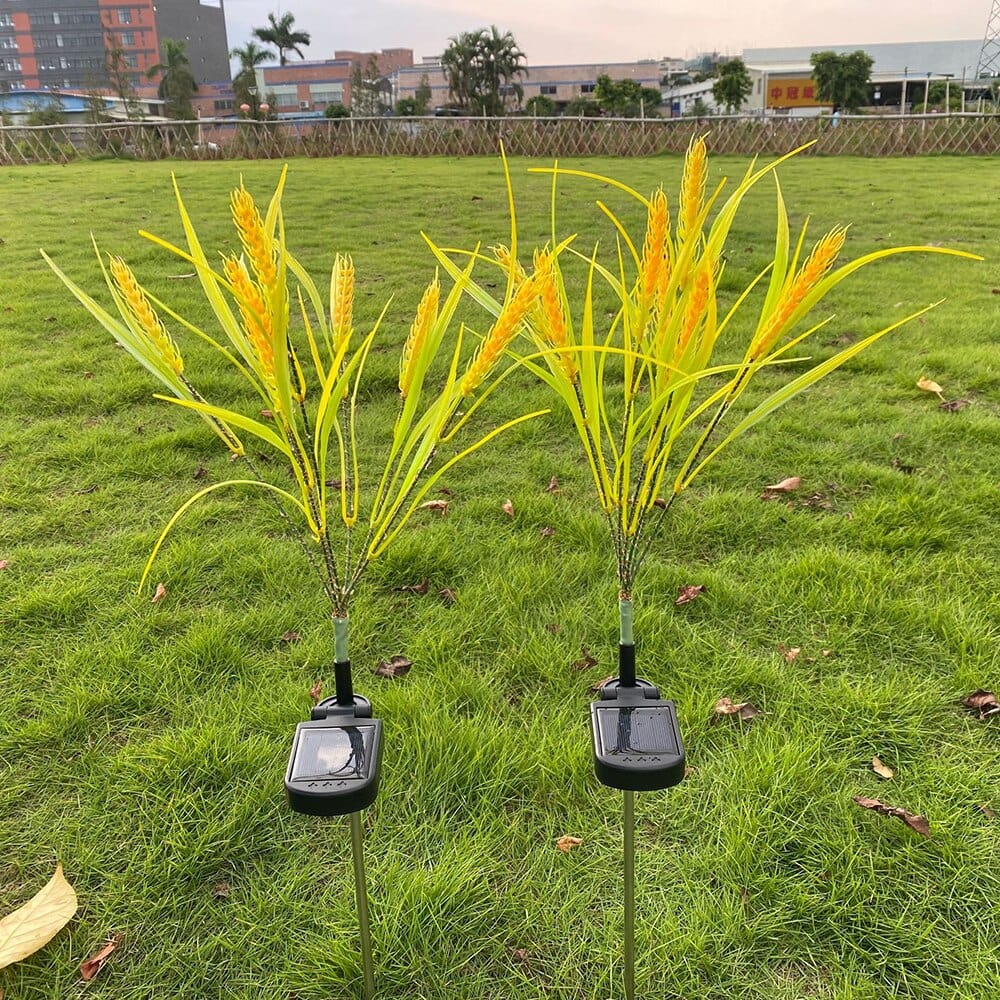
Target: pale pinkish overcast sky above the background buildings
column 568, row 31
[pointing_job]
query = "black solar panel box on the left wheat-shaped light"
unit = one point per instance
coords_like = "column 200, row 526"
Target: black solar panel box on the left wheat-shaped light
column 336, row 759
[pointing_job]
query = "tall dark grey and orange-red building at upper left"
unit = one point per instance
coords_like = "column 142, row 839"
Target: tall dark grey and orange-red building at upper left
column 64, row 44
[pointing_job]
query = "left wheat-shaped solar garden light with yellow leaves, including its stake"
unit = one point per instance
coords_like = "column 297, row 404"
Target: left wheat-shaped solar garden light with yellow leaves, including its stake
column 306, row 378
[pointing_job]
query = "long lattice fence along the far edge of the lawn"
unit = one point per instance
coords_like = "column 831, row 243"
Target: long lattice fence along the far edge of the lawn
column 872, row 136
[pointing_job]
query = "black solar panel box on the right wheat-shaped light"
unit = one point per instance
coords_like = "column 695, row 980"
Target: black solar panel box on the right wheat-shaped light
column 637, row 742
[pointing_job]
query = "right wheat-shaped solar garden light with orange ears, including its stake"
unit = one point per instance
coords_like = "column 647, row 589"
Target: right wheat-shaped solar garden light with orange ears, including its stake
column 646, row 445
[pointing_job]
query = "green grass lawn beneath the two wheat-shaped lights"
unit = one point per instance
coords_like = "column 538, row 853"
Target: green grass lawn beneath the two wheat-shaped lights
column 144, row 745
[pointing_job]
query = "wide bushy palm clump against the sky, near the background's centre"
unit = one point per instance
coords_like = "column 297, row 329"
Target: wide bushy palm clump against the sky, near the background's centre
column 484, row 68
